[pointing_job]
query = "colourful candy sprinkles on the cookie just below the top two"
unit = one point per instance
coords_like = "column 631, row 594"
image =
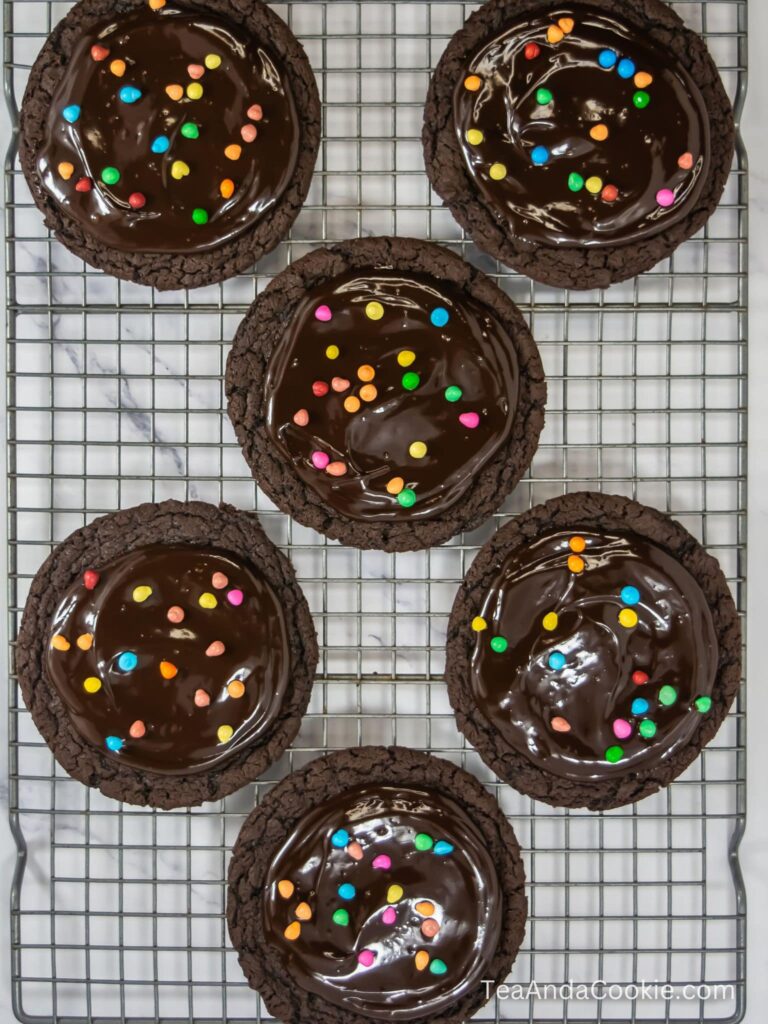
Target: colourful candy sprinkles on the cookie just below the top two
column 365, row 393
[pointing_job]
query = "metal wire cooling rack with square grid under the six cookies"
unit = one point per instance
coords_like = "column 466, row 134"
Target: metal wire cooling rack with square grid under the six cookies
column 115, row 397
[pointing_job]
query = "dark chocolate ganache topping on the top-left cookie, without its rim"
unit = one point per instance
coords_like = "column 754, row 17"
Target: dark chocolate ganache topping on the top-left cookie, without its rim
column 172, row 132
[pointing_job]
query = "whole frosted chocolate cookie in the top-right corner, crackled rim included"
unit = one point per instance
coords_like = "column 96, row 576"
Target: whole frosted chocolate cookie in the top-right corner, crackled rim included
column 579, row 143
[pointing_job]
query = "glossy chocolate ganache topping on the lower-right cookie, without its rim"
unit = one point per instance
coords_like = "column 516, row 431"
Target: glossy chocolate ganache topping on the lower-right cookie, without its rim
column 596, row 654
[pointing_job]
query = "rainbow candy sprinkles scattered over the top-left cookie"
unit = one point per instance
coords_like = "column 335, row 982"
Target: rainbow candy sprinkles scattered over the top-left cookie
column 161, row 145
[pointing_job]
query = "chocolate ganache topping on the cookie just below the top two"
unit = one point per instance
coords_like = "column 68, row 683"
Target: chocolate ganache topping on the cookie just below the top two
column 391, row 392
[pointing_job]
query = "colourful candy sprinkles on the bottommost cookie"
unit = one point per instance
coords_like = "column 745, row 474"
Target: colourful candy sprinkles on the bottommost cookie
column 400, row 909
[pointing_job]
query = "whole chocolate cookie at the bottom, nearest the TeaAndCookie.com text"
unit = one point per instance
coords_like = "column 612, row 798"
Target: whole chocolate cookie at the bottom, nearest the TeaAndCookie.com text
column 377, row 884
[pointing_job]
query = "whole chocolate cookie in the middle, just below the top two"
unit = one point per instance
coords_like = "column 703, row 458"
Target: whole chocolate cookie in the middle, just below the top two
column 386, row 394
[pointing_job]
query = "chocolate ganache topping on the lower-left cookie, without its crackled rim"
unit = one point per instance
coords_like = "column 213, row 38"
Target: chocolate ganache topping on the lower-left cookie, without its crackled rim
column 170, row 659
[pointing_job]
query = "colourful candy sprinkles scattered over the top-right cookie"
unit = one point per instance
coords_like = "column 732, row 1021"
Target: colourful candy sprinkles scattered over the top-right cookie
column 546, row 101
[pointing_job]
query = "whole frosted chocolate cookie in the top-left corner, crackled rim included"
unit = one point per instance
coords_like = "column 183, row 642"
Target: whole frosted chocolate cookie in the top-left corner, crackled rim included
column 170, row 143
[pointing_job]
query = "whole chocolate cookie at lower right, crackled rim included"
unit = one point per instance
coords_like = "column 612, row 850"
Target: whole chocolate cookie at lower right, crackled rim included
column 594, row 649
